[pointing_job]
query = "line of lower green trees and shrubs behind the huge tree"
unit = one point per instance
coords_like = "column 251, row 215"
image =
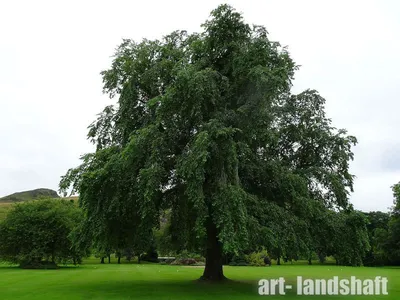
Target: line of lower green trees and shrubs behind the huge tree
column 47, row 232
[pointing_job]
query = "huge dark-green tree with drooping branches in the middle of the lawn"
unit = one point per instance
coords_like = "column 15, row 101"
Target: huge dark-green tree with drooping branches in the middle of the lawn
column 206, row 126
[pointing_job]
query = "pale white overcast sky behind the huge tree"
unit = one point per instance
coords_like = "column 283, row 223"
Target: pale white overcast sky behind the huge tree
column 51, row 54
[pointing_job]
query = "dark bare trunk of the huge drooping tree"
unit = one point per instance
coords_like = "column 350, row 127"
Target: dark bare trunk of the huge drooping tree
column 213, row 270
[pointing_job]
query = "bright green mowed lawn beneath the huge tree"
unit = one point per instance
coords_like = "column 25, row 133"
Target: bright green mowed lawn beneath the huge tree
column 154, row 281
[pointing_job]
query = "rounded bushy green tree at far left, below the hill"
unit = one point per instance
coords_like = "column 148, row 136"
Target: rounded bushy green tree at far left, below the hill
column 38, row 233
